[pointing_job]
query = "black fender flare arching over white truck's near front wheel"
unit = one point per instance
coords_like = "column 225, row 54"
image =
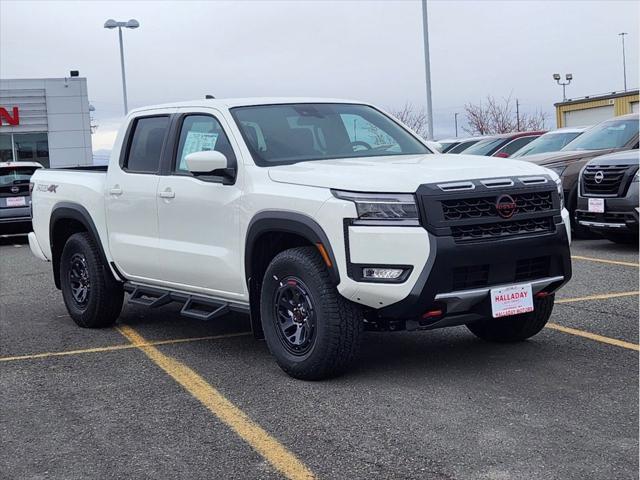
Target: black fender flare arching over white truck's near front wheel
column 287, row 222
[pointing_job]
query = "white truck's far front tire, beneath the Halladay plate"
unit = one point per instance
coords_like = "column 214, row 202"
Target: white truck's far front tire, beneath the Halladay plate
column 515, row 328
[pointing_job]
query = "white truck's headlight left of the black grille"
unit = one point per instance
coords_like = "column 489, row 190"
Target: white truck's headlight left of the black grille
column 382, row 208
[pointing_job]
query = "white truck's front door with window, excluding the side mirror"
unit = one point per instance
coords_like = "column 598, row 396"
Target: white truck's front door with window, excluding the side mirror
column 198, row 216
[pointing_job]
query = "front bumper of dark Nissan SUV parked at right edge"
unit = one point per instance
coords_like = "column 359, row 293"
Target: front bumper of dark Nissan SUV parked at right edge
column 621, row 213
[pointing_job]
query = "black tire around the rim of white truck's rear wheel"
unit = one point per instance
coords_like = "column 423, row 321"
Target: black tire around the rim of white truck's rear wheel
column 104, row 300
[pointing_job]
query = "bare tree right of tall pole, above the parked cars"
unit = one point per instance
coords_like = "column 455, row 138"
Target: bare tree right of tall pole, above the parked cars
column 500, row 117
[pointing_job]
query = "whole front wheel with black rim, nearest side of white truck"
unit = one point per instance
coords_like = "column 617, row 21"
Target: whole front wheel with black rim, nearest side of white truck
column 311, row 330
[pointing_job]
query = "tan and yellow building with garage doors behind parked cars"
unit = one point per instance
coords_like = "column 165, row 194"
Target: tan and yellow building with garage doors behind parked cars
column 594, row 109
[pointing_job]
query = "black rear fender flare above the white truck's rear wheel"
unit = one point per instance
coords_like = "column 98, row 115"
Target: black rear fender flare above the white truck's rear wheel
column 66, row 219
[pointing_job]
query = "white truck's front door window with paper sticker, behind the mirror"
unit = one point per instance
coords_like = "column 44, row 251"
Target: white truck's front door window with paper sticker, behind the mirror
column 201, row 133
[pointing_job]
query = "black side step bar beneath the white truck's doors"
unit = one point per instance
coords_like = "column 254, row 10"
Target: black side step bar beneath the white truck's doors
column 193, row 306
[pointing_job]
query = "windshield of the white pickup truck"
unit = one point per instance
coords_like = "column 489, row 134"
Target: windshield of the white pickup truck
column 291, row 133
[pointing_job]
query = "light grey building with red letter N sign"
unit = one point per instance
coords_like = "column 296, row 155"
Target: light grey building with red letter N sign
column 45, row 120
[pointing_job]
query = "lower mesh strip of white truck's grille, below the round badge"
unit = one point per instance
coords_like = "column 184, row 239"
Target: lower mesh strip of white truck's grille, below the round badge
column 487, row 231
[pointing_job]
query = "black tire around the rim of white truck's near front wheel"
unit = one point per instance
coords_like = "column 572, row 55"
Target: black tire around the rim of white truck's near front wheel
column 338, row 322
